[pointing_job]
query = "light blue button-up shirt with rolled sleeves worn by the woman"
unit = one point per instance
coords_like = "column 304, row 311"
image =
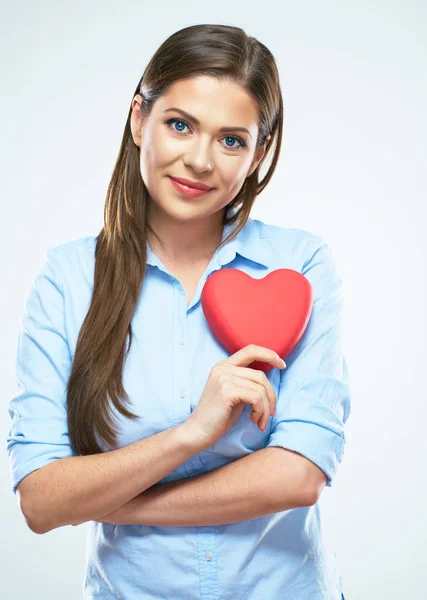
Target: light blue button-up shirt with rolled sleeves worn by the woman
column 280, row 556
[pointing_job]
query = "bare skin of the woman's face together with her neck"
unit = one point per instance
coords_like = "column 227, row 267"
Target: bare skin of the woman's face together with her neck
column 206, row 154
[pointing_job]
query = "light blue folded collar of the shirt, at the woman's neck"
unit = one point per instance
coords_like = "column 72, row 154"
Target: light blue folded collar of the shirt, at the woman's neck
column 247, row 244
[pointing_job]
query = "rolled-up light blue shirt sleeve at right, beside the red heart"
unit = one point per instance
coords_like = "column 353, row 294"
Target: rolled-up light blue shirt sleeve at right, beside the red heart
column 313, row 400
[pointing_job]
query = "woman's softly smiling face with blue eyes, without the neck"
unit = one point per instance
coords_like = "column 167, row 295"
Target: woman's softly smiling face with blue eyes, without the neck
column 171, row 144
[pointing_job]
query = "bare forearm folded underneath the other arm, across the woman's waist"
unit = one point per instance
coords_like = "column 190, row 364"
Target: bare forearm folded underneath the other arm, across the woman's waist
column 265, row 482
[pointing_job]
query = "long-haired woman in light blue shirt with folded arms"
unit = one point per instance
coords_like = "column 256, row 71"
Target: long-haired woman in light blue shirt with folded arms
column 208, row 487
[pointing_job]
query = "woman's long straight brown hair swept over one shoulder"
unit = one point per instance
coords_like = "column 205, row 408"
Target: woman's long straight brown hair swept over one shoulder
column 220, row 51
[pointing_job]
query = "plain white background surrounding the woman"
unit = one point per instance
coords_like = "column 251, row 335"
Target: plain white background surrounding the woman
column 352, row 169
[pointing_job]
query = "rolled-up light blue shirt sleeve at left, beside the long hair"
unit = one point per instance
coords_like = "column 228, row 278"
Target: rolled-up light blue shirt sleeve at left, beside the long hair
column 38, row 433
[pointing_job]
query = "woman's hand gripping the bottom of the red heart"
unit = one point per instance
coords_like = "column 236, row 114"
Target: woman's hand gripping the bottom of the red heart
column 229, row 387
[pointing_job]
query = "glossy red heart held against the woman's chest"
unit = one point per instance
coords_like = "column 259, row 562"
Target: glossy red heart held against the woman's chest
column 272, row 312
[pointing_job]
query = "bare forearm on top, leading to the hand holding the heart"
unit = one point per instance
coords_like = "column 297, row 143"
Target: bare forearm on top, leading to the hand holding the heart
column 83, row 488
